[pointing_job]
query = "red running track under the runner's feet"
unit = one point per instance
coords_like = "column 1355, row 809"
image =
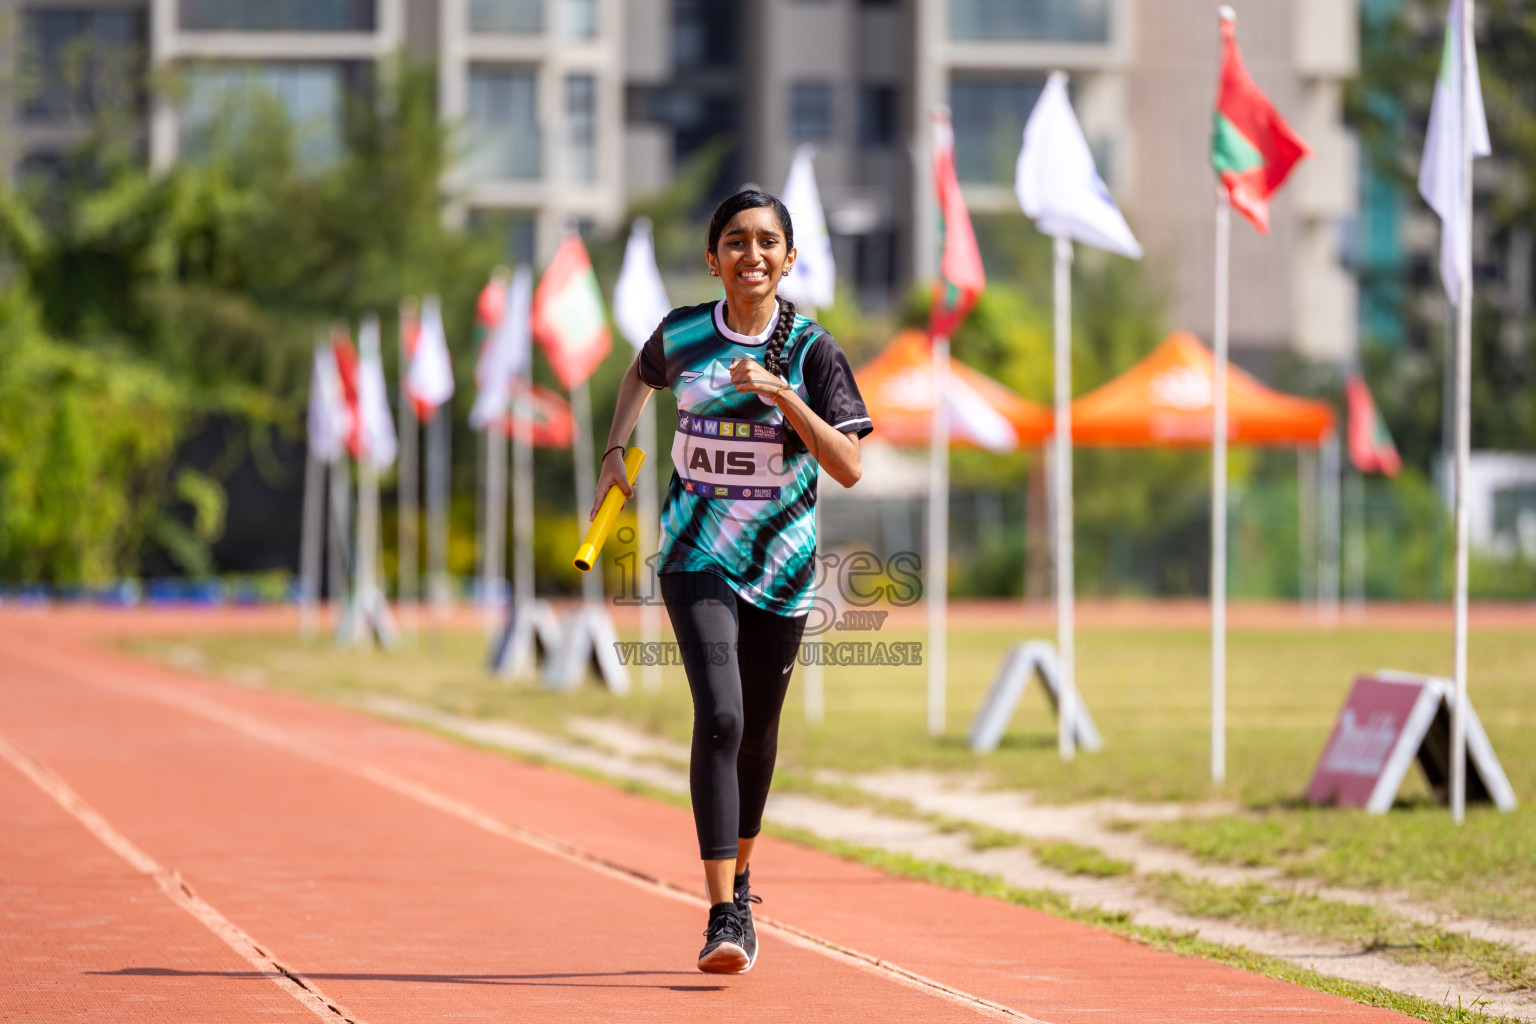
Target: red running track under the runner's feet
column 179, row 850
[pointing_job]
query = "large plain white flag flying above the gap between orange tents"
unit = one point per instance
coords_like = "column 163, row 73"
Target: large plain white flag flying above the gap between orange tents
column 1058, row 183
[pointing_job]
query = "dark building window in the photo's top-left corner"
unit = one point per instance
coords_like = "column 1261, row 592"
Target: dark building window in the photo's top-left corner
column 81, row 62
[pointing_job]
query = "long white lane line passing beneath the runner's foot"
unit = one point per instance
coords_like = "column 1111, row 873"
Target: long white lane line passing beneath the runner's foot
column 469, row 813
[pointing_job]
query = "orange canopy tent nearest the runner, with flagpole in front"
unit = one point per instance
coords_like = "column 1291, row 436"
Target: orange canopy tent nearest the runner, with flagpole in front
column 898, row 388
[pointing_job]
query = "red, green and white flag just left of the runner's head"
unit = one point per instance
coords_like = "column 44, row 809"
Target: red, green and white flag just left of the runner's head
column 568, row 315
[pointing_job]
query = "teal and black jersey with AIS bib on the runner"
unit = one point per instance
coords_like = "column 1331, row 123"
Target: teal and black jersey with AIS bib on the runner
column 741, row 501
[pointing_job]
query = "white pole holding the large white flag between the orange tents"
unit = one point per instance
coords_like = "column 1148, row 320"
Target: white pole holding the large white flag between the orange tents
column 1067, row 633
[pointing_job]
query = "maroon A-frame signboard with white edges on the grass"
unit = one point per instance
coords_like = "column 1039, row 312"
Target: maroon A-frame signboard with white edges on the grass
column 1388, row 722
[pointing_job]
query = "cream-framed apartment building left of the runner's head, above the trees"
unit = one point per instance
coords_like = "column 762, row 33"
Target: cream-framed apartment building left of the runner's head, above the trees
column 537, row 88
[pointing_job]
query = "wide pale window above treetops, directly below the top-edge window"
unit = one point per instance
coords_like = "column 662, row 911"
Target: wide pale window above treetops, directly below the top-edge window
column 228, row 102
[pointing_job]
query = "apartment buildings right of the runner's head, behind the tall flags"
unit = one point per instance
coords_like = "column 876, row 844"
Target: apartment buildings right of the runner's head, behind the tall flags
column 859, row 79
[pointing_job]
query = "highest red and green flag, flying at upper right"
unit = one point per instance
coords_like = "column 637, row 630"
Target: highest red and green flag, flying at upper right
column 1251, row 145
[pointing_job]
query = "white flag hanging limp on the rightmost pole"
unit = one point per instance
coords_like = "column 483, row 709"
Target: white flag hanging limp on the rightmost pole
column 1442, row 170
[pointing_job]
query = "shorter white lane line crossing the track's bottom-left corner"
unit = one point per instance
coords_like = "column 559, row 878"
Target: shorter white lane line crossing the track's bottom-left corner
column 176, row 890
